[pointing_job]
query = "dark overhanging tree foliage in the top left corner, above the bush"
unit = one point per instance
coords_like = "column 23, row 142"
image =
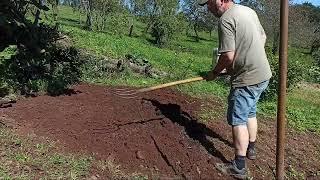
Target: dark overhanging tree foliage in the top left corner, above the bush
column 15, row 29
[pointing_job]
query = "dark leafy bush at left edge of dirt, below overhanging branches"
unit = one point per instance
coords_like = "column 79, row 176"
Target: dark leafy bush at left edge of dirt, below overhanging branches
column 53, row 70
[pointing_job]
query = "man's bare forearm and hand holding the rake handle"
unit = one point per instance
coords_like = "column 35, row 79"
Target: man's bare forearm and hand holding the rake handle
column 225, row 60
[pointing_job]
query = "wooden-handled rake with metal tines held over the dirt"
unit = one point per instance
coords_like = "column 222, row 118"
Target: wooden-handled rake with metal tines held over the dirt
column 133, row 93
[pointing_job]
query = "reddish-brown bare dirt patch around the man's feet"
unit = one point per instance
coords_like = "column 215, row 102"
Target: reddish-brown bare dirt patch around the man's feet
column 157, row 134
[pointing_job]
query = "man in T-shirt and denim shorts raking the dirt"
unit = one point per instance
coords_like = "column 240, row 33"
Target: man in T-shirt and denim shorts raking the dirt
column 241, row 45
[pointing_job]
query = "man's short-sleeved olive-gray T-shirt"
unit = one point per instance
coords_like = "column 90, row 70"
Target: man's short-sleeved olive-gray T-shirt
column 240, row 31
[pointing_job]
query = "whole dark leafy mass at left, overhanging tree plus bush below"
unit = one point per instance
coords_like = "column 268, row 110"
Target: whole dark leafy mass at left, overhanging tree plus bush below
column 39, row 59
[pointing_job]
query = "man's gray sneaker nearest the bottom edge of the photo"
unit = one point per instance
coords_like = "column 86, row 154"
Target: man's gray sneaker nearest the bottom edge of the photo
column 232, row 170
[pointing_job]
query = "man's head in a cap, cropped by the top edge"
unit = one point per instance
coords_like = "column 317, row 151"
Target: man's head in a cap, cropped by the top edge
column 216, row 7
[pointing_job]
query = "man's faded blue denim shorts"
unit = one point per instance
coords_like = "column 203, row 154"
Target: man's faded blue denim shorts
column 242, row 103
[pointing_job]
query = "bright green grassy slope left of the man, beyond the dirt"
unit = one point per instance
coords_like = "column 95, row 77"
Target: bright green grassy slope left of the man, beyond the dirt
column 188, row 59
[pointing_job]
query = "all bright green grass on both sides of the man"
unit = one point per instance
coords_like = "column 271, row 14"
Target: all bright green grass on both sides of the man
column 185, row 58
